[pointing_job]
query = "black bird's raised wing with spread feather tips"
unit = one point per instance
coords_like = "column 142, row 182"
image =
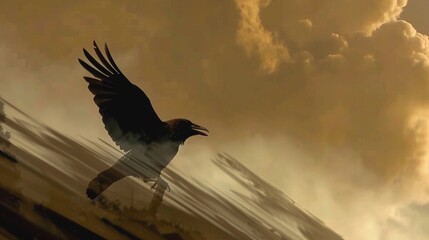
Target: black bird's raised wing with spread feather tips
column 127, row 113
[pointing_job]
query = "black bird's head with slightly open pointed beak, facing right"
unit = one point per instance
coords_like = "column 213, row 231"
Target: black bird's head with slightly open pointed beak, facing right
column 182, row 129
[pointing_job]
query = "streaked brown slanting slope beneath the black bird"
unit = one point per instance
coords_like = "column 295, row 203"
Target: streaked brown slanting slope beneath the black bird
column 44, row 177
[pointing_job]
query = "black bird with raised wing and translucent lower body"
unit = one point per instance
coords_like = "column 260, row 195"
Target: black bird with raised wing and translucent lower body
column 132, row 123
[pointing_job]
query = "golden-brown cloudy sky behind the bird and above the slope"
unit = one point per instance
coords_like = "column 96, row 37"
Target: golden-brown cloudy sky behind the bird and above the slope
column 326, row 99
